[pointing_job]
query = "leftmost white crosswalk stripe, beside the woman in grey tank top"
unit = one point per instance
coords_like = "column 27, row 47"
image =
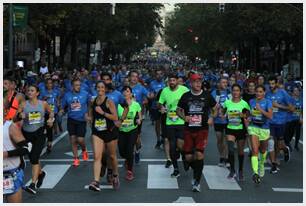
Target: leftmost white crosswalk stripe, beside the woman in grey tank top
column 54, row 175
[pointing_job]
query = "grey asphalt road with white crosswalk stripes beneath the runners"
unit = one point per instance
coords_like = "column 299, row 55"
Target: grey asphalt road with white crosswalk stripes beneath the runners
column 153, row 184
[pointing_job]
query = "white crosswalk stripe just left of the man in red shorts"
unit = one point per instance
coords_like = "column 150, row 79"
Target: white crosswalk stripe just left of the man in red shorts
column 159, row 178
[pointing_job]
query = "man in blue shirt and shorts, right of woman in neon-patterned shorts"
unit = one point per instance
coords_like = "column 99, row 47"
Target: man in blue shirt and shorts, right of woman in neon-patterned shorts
column 281, row 104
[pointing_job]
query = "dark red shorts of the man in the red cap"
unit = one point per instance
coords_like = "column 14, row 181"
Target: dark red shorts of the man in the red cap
column 195, row 140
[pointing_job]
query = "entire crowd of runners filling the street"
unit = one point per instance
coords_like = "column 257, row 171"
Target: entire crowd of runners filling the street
column 246, row 109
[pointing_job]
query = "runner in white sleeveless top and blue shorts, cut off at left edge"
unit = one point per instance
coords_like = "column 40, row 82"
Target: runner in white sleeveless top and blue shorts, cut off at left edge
column 14, row 148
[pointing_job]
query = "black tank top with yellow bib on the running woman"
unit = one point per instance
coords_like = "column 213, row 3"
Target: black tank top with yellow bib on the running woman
column 100, row 122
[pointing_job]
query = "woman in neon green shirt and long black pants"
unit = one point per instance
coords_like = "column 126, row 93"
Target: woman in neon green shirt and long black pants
column 128, row 130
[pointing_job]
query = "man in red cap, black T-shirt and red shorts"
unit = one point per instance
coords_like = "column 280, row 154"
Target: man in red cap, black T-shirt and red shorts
column 194, row 108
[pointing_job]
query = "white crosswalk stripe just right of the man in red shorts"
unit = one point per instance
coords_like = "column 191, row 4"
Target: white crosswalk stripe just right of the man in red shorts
column 216, row 178
